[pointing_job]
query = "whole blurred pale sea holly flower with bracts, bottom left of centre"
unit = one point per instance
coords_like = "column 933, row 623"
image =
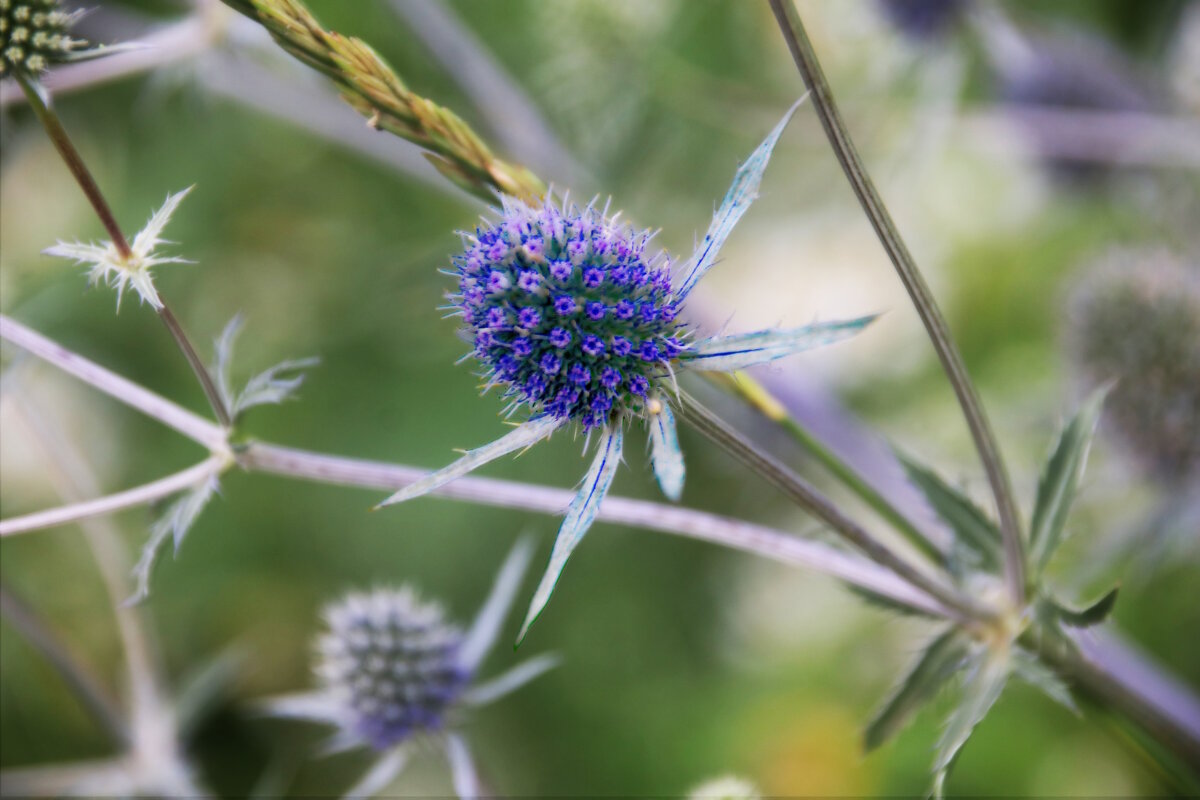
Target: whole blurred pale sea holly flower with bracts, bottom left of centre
column 394, row 672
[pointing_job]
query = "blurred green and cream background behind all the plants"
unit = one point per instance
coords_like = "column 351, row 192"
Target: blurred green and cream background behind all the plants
column 1042, row 159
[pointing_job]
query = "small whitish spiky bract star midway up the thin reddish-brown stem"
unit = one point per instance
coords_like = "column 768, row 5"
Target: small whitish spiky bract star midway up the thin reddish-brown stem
column 111, row 267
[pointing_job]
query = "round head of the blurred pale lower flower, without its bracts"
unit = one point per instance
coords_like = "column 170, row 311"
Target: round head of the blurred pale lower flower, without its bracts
column 392, row 659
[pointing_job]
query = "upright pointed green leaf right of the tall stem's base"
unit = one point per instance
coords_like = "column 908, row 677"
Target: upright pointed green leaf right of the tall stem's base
column 1060, row 479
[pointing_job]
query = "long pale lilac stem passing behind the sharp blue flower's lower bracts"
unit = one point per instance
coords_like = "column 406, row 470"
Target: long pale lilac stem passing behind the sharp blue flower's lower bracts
column 736, row 534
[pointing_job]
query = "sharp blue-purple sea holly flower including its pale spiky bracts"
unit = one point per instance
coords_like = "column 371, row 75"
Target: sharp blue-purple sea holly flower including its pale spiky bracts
column 609, row 341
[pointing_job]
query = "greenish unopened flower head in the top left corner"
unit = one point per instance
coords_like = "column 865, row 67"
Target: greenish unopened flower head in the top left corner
column 34, row 35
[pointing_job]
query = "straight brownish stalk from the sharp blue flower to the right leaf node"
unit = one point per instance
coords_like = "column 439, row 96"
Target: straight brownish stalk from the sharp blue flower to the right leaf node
column 811, row 500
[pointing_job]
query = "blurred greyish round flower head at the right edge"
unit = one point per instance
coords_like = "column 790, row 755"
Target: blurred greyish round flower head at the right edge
column 1136, row 320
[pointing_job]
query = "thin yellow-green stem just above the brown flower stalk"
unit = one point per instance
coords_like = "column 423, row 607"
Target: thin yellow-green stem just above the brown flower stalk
column 766, row 404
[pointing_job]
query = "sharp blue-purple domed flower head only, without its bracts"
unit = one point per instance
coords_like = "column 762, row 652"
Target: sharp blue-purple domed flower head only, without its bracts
column 566, row 310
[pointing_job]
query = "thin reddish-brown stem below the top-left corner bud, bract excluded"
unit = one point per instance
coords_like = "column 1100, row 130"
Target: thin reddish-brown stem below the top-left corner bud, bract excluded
column 40, row 101
